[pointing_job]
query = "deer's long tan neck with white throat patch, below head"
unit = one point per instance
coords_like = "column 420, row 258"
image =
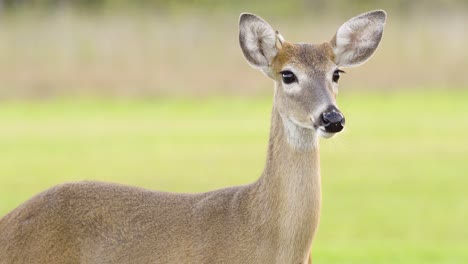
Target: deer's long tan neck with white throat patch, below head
column 289, row 189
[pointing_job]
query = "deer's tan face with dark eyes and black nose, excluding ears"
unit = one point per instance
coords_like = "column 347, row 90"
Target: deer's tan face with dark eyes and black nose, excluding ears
column 306, row 79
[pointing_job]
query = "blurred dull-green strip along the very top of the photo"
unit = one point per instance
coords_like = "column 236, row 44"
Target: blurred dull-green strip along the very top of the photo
column 291, row 7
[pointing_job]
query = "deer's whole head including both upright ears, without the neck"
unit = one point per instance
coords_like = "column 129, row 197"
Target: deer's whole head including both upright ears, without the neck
column 306, row 75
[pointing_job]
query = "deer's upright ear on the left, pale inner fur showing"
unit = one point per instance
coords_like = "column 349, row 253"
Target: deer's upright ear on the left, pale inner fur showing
column 258, row 42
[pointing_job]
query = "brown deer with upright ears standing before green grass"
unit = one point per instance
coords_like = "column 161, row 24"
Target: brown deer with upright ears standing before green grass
column 272, row 220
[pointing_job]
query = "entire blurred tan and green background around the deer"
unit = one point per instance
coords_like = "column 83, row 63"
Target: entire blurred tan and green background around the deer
column 157, row 94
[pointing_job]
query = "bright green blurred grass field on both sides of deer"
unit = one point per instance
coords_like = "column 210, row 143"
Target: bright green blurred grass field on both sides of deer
column 394, row 183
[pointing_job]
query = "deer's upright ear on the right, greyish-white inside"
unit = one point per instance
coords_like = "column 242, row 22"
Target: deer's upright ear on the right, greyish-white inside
column 356, row 40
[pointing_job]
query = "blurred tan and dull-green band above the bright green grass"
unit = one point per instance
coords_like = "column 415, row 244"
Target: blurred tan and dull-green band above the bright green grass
column 190, row 48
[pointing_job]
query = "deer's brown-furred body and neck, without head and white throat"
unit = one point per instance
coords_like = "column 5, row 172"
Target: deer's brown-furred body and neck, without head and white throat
column 92, row 222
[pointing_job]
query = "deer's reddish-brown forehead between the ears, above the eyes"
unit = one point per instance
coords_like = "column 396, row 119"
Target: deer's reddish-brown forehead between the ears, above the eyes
column 309, row 58
